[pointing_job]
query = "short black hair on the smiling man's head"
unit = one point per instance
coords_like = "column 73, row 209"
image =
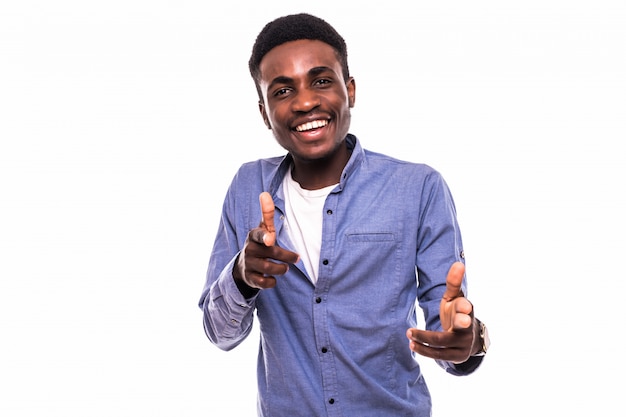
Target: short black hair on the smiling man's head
column 292, row 28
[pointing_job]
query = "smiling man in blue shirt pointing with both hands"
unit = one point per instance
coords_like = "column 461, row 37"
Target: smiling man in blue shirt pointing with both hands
column 348, row 241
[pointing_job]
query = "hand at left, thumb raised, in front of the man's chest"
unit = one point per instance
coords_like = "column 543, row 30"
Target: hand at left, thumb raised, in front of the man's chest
column 260, row 260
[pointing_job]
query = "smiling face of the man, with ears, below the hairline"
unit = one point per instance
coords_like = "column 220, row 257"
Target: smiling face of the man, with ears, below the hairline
column 306, row 101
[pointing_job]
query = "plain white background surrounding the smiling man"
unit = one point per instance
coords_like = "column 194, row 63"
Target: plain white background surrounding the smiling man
column 122, row 123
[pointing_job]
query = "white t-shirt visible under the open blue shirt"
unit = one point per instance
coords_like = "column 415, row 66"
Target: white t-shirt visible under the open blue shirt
column 303, row 219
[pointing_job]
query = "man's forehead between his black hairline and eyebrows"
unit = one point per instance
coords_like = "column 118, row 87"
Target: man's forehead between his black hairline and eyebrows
column 296, row 58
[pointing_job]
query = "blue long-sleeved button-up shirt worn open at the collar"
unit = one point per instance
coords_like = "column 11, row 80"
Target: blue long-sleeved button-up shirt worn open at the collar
column 338, row 348
